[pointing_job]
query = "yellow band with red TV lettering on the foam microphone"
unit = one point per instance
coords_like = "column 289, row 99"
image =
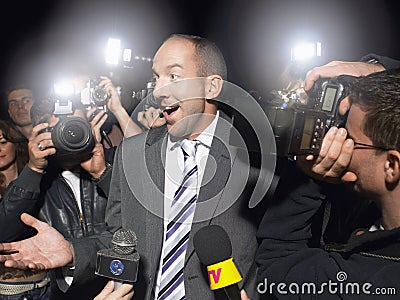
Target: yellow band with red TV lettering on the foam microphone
column 223, row 274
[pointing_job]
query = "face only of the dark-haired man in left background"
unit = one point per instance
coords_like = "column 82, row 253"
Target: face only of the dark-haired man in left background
column 19, row 106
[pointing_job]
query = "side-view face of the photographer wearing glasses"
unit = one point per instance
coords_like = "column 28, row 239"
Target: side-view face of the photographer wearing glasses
column 366, row 162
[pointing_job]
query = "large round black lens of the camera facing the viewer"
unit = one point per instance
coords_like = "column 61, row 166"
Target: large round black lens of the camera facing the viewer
column 73, row 135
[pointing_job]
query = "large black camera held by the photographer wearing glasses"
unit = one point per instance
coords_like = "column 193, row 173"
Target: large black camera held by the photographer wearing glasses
column 299, row 121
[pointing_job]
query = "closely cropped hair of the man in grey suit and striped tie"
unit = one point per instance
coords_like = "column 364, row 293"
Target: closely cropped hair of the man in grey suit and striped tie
column 209, row 56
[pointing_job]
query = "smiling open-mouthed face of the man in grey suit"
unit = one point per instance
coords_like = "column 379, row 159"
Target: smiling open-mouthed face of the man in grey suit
column 179, row 91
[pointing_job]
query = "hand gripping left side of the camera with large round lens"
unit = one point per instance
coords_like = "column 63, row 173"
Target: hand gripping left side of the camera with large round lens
column 40, row 146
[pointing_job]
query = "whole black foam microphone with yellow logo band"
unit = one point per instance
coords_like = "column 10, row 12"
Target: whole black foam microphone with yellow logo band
column 214, row 249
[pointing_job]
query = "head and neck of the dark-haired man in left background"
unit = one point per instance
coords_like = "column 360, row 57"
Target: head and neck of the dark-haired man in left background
column 19, row 102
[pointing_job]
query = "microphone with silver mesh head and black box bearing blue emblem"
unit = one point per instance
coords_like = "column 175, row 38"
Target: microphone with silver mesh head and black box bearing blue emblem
column 121, row 262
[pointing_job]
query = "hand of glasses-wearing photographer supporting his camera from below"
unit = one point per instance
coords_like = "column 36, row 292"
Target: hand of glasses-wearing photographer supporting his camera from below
column 333, row 159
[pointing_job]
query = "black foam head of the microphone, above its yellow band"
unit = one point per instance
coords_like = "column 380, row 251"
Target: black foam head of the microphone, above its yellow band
column 212, row 245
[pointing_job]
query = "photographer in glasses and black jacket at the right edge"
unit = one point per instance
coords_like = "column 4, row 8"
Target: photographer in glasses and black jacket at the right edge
column 293, row 258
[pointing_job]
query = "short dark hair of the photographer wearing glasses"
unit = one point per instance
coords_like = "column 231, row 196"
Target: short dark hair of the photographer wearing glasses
column 378, row 94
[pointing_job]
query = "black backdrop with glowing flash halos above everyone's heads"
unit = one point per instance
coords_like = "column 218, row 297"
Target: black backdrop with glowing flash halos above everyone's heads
column 43, row 39
